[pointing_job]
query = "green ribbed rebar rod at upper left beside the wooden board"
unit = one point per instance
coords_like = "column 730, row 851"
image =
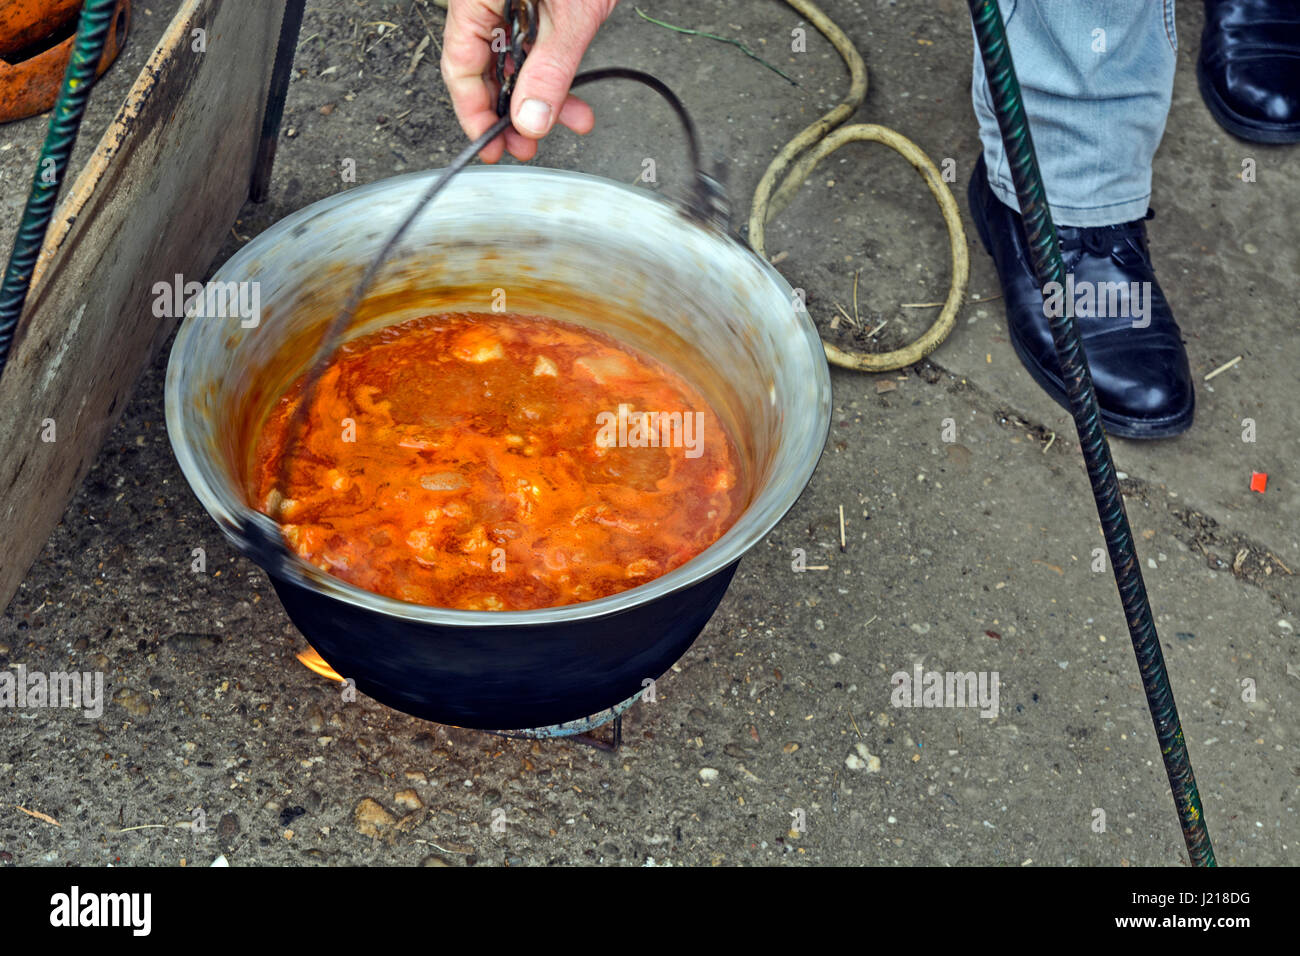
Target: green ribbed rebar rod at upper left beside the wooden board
column 93, row 31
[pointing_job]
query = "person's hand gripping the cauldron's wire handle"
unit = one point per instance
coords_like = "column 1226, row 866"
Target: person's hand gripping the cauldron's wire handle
column 541, row 98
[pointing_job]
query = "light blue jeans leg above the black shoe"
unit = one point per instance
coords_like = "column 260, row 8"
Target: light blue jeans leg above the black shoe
column 1097, row 77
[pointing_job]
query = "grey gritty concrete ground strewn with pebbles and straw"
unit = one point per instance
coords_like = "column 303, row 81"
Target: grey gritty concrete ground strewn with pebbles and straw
column 774, row 739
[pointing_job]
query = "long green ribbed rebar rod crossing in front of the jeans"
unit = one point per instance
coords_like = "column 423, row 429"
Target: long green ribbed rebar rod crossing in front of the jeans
column 1046, row 253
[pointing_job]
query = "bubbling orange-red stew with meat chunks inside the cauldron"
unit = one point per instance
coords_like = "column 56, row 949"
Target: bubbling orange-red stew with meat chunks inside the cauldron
column 497, row 462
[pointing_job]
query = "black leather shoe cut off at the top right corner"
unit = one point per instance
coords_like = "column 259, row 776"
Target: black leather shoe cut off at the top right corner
column 1250, row 68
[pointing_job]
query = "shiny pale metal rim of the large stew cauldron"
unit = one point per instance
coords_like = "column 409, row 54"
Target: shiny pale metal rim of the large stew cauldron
column 232, row 516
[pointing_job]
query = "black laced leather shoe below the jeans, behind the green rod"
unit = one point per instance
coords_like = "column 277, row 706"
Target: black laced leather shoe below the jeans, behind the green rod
column 1134, row 347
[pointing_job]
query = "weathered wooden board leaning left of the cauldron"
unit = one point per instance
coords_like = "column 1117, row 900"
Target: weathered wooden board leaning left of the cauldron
column 157, row 200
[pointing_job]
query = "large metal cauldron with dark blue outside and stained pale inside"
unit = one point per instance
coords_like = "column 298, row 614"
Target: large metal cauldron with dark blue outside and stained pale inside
column 570, row 246
